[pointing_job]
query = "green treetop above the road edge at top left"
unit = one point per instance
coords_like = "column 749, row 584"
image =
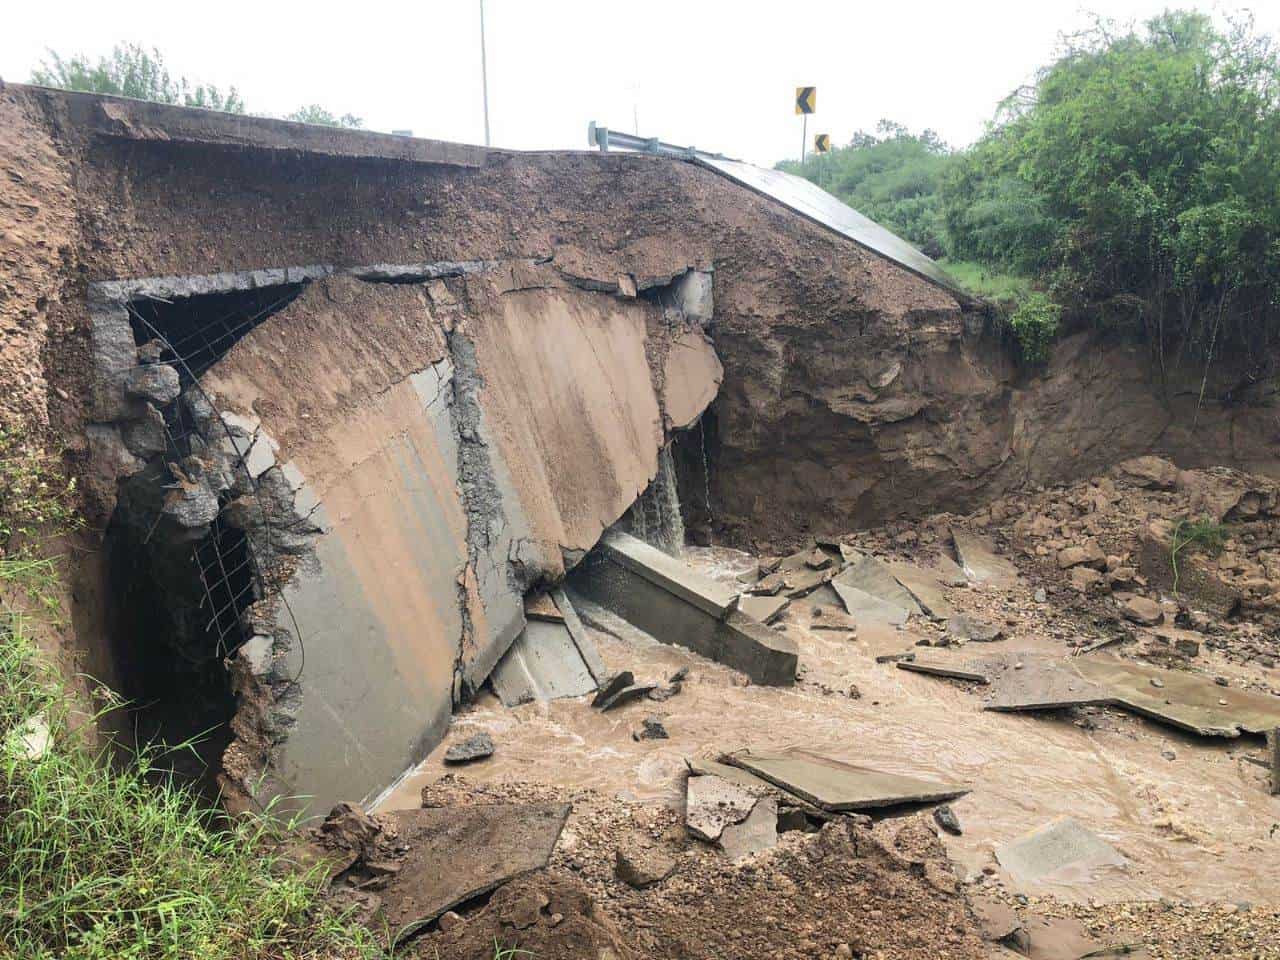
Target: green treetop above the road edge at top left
column 134, row 72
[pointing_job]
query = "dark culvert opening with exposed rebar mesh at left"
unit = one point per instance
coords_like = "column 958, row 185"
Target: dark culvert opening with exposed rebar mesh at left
column 177, row 593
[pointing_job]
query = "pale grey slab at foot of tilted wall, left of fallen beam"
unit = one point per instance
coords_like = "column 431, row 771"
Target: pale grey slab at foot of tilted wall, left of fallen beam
column 542, row 665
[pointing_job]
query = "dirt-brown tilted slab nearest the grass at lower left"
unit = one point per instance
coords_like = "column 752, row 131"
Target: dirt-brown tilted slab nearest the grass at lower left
column 483, row 847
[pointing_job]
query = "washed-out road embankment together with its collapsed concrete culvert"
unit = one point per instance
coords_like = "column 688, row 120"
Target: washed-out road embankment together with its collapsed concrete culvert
column 340, row 401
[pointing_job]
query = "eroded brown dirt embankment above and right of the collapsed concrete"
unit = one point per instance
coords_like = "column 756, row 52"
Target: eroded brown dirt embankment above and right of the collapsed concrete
column 854, row 391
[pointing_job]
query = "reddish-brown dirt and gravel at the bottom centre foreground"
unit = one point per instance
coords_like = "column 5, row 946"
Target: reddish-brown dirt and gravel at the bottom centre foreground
column 888, row 892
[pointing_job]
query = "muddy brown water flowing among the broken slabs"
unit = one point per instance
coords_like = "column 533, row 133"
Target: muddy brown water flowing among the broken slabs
column 1197, row 828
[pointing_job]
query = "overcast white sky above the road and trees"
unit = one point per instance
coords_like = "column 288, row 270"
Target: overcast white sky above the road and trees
column 720, row 75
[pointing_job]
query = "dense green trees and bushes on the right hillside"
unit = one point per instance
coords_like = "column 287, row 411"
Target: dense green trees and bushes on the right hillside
column 1135, row 184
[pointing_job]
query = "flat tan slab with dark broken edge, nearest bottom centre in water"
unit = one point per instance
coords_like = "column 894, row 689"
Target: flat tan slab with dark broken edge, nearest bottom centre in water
column 840, row 787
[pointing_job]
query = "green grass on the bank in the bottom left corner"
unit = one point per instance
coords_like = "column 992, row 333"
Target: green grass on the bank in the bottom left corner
column 108, row 858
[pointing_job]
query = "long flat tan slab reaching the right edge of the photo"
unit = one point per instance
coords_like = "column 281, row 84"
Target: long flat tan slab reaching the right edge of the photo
column 1191, row 702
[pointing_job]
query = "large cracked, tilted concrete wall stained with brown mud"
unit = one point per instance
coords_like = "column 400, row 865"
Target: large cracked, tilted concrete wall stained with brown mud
column 452, row 444
